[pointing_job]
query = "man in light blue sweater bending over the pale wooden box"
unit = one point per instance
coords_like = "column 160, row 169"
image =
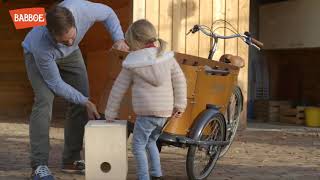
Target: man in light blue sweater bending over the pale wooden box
column 55, row 67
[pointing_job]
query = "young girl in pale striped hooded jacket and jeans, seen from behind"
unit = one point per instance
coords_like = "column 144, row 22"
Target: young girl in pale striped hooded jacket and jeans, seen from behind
column 159, row 91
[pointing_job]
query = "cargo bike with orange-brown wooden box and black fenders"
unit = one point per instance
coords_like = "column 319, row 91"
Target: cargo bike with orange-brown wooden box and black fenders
column 209, row 124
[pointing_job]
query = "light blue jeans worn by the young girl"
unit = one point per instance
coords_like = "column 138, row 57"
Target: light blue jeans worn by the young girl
column 147, row 130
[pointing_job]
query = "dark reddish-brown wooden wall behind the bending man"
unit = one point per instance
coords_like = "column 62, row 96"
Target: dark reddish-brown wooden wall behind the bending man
column 16, row 96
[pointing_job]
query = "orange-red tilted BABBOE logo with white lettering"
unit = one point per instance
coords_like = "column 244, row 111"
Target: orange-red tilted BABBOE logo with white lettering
column 28, row 17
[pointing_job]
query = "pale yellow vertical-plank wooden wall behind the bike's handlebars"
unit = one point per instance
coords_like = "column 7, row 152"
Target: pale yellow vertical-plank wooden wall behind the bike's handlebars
column 174, row 18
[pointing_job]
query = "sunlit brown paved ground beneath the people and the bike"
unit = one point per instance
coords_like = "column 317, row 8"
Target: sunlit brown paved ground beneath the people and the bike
column 259, row 152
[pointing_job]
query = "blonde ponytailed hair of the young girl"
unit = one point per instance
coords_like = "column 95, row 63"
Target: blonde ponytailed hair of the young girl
column 141, row 33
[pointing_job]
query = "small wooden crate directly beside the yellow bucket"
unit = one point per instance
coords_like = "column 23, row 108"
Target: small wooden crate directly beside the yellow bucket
column 292, row 115
